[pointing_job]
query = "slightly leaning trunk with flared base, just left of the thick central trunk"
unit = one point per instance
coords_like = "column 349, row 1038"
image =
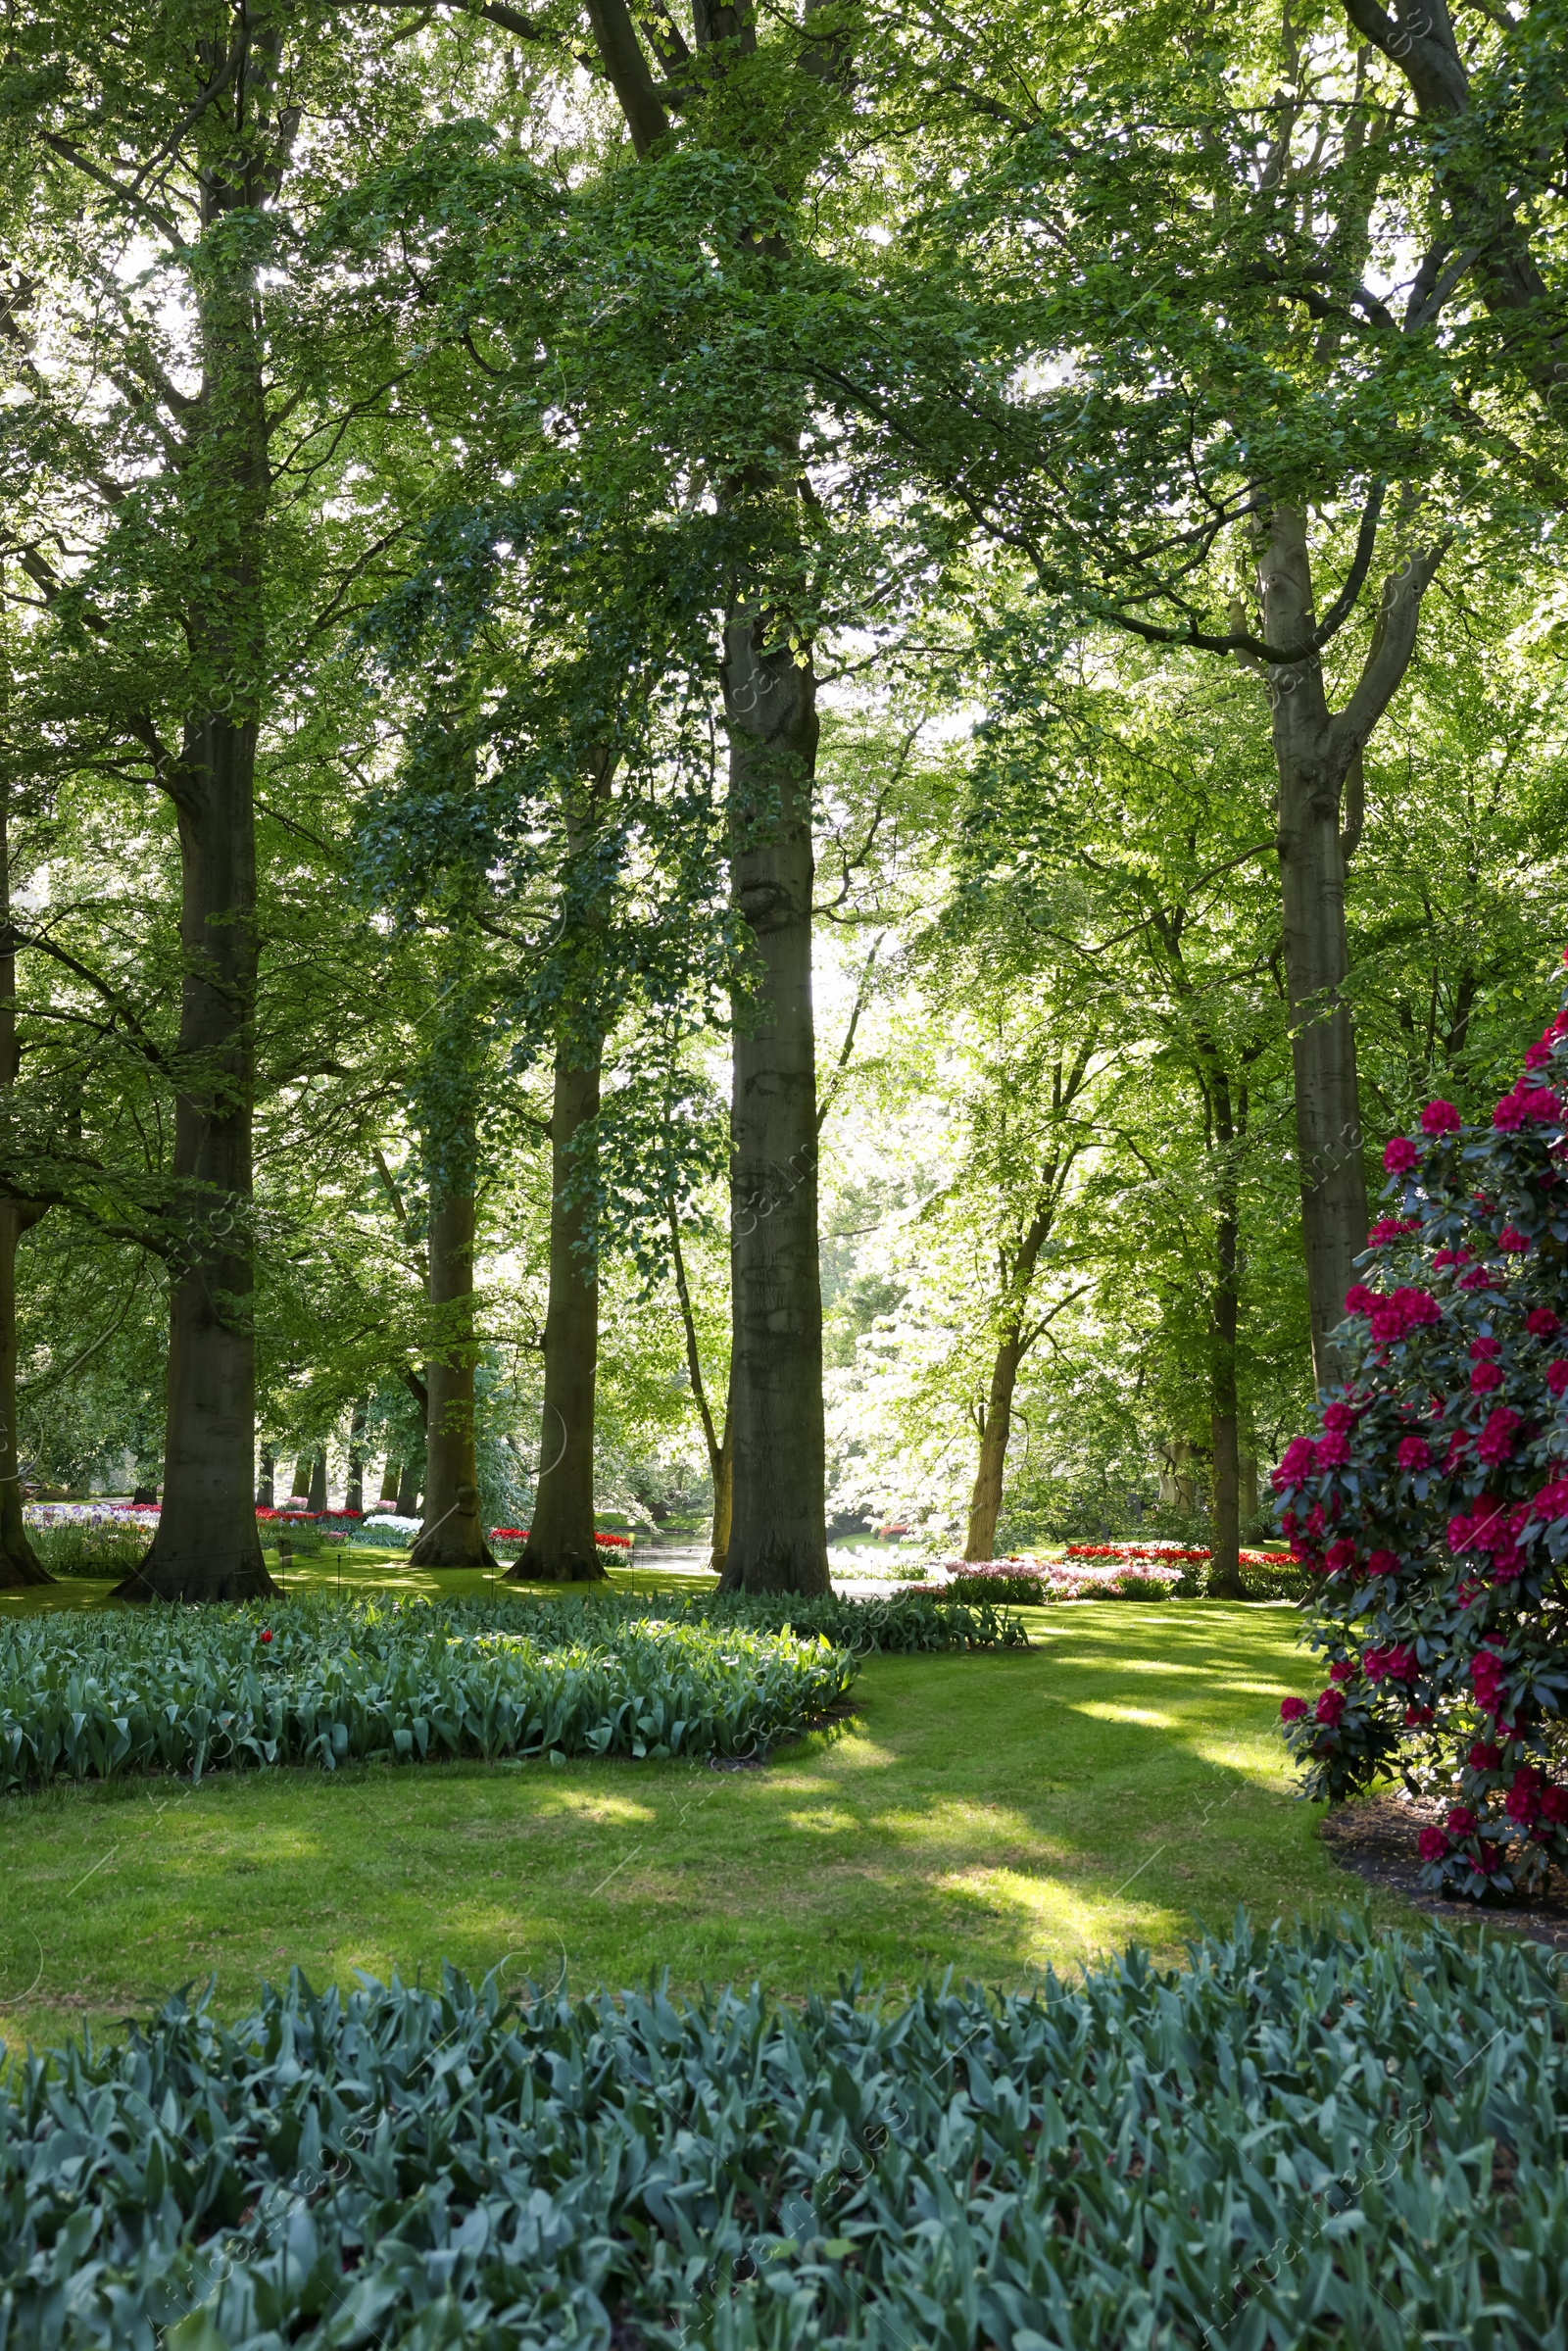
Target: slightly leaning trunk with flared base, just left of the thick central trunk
column 561, row 1543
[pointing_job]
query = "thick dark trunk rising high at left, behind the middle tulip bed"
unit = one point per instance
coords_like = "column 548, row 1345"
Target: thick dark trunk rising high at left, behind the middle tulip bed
column 206, row 1546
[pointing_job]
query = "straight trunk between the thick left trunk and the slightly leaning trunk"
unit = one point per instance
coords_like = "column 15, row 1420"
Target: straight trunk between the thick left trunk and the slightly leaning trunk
column 453, row 1534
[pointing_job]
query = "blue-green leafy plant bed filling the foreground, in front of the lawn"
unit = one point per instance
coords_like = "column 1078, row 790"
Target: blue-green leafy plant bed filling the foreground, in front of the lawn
column 1306, row 2138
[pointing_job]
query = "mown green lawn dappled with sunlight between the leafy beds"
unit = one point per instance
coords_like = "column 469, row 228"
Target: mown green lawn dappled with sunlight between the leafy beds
column 996, row 1814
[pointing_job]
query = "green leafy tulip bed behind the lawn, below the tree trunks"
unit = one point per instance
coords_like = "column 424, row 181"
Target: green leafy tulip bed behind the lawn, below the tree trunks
column 323, row 1682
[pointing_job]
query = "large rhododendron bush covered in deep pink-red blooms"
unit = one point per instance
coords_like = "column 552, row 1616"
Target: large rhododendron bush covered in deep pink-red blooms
column 1433, row 1508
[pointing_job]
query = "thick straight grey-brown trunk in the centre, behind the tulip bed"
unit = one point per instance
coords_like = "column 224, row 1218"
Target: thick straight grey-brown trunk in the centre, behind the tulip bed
column 777, row 1532
